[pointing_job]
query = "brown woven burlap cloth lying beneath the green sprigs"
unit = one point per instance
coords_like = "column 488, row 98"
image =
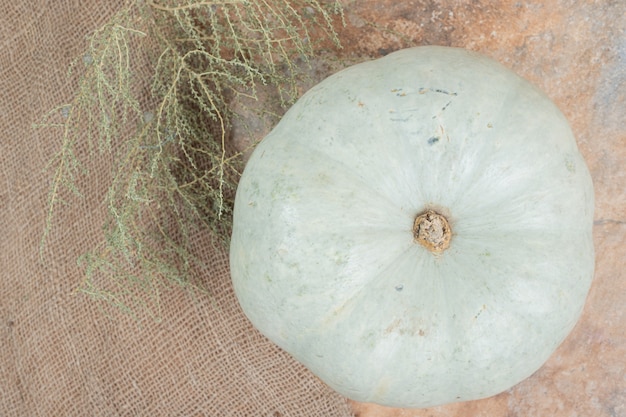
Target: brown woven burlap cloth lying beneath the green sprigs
column 61, row 354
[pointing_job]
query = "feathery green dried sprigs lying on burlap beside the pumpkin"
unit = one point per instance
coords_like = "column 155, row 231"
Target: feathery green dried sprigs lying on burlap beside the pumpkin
column 154, row 96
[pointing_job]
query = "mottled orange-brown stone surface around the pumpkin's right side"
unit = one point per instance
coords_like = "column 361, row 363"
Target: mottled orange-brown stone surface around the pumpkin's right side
column 576, row 52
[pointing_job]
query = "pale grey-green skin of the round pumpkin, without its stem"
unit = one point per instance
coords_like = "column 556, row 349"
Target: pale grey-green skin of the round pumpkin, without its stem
column 323, row 256
